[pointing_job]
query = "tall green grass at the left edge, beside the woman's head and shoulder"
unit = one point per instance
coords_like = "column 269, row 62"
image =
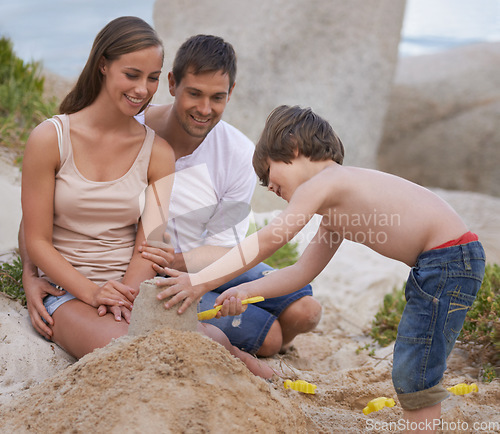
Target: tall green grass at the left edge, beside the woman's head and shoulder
column 22, row 105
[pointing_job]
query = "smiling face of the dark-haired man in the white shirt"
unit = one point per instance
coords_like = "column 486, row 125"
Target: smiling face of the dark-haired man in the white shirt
column 200, row 100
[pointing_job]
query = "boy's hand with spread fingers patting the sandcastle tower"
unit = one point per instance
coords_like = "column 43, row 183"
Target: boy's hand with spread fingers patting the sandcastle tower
column 179, row 288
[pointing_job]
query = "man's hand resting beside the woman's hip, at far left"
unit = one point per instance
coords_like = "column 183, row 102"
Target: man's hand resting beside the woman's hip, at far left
column 36, row 289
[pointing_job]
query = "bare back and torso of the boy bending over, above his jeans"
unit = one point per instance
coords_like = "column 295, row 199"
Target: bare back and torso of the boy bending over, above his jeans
column 393, row 216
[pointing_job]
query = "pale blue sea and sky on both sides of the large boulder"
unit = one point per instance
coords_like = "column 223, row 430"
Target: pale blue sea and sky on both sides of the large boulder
column 59, row 33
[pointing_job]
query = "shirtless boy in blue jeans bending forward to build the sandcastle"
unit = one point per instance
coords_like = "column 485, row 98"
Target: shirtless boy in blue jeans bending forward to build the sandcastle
column 299, row 157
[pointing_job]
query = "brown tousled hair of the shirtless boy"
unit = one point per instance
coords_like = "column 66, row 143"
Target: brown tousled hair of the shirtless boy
column 292, row 131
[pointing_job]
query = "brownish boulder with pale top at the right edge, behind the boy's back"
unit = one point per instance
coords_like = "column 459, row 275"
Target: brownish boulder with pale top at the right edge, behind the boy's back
column 442, row 123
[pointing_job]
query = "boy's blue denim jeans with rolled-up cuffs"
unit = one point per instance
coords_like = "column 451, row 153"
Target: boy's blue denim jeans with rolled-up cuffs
column 440, row 290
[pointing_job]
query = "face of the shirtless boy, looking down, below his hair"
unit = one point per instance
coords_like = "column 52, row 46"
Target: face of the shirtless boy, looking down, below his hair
column 285, row 178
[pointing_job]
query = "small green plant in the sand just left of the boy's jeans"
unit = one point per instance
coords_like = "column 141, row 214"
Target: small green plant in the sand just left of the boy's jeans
column 385, row 325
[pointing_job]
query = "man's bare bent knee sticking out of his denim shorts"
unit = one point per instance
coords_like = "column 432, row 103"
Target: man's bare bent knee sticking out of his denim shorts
column 303, row 314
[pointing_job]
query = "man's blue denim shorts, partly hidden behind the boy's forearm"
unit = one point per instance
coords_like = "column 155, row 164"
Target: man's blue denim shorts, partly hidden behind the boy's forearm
column 248, row 330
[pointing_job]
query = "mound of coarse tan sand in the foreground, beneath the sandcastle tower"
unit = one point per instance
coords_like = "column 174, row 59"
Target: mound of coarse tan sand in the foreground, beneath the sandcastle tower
column 167, row 381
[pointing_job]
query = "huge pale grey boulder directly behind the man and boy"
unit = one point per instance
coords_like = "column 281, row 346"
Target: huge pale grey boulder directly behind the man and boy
column 335, row 56
